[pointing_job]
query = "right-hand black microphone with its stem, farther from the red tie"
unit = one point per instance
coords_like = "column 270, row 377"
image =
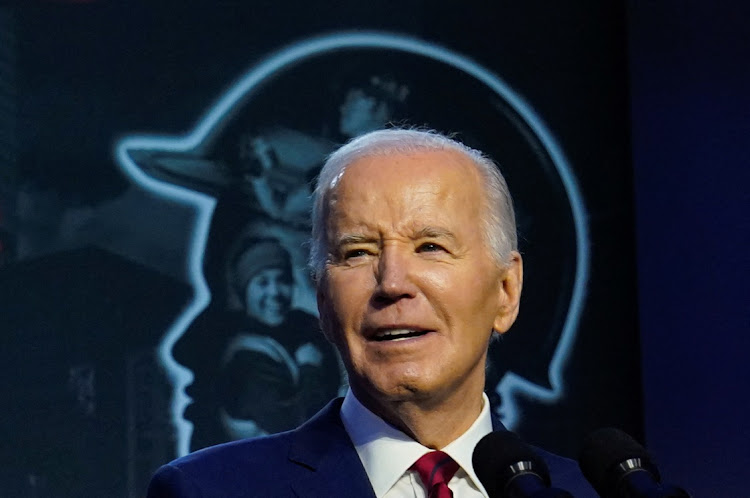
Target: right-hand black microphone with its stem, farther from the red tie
column 618, row 467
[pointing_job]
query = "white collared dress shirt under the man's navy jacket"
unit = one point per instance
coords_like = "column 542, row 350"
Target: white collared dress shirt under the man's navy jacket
column 387, row 453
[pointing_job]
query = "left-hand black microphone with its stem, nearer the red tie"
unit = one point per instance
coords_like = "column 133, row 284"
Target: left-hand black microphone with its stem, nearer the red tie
column 509, row 468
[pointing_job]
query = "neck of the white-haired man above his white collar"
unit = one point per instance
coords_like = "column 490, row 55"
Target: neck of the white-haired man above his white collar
column 432, row 423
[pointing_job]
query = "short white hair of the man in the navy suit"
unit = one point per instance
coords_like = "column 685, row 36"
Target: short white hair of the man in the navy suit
column 498, row 220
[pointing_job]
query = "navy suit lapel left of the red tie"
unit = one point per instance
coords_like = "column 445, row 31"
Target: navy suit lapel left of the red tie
column 327, row 463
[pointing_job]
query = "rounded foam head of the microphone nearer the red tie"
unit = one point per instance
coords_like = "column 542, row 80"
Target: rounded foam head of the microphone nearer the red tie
column 501, row 456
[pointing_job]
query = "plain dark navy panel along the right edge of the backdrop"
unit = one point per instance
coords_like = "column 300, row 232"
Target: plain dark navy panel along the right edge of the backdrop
column 691, row 120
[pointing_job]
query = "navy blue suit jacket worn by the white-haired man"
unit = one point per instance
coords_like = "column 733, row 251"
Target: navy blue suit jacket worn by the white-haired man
column 315, row 460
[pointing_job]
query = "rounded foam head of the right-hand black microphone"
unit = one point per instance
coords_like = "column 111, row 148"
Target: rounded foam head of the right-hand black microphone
column 602, row 454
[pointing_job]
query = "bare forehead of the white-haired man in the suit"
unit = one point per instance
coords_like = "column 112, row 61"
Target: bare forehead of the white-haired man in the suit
column 407, row 186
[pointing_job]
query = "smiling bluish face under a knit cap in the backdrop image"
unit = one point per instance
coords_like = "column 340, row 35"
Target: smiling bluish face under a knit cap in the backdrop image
column 268, row 296
